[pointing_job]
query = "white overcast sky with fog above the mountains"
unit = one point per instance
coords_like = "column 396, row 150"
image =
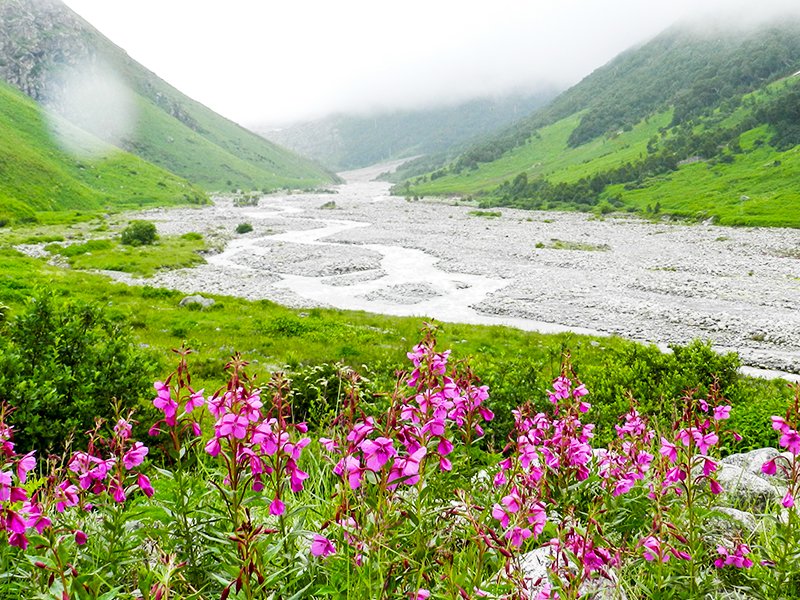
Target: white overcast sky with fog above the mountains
column 277, row 61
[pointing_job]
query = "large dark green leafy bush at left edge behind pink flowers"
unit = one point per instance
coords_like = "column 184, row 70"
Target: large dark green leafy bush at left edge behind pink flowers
column 62, row 364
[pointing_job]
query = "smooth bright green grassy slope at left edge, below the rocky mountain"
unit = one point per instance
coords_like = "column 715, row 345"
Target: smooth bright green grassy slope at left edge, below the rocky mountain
column 37, row 175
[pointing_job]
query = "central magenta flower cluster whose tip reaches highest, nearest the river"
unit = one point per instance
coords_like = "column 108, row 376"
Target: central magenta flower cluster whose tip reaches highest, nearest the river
column 446, row 407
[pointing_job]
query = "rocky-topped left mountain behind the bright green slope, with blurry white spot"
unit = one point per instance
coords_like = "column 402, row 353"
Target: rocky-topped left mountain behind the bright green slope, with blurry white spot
column 59, row 60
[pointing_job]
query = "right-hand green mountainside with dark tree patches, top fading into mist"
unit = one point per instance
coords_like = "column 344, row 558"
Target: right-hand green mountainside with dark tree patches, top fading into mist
column 695, row 123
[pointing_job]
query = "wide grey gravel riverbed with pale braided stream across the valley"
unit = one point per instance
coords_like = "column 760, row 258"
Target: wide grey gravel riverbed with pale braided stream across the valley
column 358, row 247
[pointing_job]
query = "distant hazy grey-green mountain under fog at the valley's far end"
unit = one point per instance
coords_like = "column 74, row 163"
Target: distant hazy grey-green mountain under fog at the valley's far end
column 346, row 141
